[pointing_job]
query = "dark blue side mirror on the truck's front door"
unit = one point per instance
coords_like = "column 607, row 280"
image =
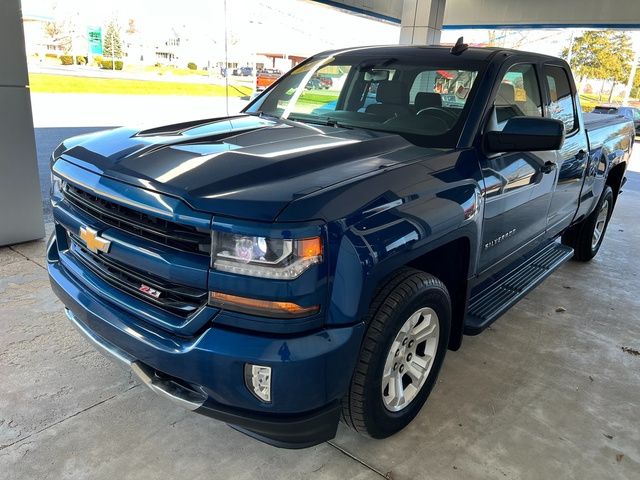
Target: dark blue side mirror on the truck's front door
column 526, row 134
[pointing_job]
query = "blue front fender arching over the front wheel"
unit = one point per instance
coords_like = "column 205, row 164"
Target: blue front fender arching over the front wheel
column 393, row 234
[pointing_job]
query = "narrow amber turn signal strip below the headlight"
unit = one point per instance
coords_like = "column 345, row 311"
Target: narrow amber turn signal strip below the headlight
column 264, row 308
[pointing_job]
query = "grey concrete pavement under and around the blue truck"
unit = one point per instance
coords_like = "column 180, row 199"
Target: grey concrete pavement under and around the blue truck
column 551, row 390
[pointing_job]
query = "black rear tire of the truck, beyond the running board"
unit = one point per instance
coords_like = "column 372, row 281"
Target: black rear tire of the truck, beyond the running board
column 580, row 236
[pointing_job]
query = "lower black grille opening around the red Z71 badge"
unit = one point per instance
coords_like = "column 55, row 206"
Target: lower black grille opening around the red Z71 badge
column 173, row 298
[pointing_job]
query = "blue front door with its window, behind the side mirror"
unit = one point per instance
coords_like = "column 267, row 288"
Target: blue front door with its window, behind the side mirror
column 517, row 192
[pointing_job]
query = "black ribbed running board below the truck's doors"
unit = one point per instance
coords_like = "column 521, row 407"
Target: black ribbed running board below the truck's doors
column 502, row 293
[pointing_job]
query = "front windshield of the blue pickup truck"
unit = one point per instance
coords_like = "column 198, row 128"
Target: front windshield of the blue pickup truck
column 406, row 96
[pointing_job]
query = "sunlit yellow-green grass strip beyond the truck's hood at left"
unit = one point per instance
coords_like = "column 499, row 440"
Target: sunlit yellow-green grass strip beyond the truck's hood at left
column 41, row 82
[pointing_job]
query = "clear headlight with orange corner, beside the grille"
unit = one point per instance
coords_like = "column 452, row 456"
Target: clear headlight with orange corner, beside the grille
column 279, row 258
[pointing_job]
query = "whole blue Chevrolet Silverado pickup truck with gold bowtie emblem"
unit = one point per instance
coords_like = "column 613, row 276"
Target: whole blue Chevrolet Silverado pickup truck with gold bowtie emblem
column 313, row 258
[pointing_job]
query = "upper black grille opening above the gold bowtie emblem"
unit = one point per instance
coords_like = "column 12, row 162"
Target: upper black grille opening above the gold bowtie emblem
column 181, row 237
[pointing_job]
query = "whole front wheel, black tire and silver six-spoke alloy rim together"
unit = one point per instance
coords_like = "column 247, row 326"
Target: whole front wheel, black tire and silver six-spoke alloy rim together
column 401, row 355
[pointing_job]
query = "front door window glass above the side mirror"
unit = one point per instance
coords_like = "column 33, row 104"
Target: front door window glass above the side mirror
column 518, row 94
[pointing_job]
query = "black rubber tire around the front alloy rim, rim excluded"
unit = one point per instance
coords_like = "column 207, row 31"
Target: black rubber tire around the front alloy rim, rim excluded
column 363, row 407
